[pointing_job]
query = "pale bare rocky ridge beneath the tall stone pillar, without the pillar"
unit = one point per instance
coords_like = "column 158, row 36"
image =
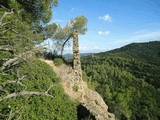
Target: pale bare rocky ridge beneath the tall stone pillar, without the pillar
column 78, row 90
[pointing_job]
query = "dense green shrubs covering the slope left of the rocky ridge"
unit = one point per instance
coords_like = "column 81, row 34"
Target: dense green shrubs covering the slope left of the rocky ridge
column 39, row 78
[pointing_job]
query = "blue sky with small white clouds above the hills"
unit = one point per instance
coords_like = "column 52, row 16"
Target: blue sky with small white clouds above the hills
column 111, row 23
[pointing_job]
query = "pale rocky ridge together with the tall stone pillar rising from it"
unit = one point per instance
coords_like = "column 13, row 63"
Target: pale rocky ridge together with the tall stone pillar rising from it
column 77, row 89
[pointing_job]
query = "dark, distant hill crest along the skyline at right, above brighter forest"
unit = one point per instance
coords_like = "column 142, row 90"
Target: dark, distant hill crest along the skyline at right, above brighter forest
column 146, row 52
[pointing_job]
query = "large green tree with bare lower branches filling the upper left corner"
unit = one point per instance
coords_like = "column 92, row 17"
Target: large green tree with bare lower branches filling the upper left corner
column 22, row 26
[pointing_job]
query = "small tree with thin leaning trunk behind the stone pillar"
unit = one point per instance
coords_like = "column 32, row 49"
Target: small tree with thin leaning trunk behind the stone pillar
column 63, row 35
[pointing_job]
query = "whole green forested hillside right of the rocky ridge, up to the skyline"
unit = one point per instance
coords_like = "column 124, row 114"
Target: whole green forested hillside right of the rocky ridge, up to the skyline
column 128, row 80
